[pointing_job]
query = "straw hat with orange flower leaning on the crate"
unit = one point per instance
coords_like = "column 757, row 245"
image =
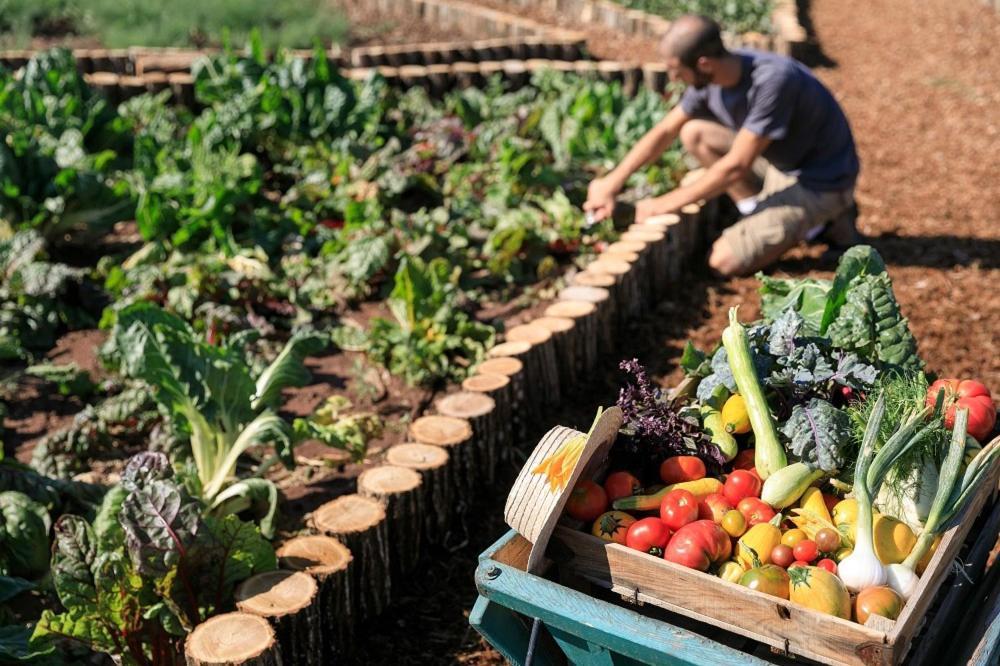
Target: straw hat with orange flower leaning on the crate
column 544, row 485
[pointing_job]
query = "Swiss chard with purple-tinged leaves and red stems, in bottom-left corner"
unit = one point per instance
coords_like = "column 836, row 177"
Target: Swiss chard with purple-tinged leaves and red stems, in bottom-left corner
column 149, row 568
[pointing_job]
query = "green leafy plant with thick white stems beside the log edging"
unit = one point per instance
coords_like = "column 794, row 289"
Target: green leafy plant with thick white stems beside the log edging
column 214, row 400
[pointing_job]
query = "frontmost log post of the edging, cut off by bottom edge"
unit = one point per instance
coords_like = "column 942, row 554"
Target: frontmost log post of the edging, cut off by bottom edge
column 230, row 639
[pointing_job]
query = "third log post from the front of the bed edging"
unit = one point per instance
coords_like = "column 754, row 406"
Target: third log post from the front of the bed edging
column 330, row 563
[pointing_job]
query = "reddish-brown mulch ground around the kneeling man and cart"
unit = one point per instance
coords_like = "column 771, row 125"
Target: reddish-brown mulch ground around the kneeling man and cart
column 921, row 85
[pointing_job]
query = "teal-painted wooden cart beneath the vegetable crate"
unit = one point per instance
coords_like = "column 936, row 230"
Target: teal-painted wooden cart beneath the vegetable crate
column 586, row 624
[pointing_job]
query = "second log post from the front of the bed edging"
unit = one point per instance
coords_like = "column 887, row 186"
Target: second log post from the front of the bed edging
column 289, row 600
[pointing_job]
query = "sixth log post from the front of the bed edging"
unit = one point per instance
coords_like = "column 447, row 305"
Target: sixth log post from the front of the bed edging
column 436, row 483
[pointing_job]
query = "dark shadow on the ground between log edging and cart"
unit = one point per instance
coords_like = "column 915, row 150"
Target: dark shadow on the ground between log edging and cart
column 428, row 621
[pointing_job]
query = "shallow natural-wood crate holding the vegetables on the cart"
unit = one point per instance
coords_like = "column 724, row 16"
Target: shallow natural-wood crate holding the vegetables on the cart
column 786, row 626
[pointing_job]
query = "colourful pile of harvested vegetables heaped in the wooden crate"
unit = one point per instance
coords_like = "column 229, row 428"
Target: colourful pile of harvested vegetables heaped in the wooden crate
column 767, row 465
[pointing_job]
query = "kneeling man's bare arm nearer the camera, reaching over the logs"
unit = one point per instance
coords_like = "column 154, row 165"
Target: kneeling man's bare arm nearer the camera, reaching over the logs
column 731, row 168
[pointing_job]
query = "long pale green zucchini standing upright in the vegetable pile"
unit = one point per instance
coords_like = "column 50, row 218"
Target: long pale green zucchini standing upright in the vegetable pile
column 769, row 454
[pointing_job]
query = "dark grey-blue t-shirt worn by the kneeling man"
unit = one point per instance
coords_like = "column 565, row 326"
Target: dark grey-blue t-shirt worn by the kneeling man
column 779, row 98
